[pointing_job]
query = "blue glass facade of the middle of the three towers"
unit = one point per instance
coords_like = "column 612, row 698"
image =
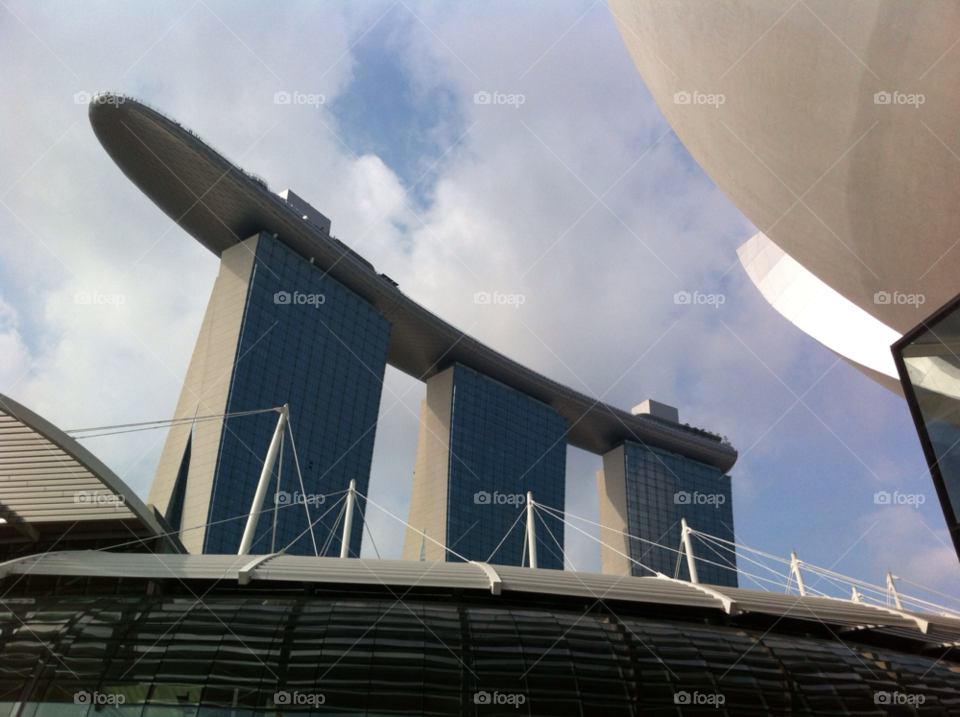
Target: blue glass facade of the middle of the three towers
column 503, row 444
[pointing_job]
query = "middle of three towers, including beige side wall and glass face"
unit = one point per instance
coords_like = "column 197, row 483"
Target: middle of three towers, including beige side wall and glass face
column 482, row 447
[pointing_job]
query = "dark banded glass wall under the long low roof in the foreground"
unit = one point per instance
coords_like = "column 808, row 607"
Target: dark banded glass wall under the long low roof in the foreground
column 245, row 656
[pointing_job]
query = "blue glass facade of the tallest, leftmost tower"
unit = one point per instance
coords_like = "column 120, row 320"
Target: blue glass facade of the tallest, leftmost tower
column 307, row 341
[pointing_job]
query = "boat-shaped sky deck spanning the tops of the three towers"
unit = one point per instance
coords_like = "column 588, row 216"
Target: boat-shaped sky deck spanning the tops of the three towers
column 220, row 205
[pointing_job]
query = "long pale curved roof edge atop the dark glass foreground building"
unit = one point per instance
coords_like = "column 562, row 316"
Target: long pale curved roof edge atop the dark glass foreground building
column 843, row 618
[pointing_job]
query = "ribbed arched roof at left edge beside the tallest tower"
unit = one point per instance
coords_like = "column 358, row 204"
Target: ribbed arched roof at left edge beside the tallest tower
column 48, row 482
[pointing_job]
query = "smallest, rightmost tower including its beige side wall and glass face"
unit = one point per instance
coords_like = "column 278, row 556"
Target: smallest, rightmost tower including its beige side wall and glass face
column 646, row 492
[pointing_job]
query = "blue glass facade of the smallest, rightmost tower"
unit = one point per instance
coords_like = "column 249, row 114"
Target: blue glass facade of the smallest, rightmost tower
column 661, row 489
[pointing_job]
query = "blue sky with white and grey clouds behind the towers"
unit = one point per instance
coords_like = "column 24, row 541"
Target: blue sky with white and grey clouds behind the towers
column 581, row 198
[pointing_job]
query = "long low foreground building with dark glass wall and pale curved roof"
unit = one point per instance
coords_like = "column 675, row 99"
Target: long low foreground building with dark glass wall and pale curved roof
column 327, row 636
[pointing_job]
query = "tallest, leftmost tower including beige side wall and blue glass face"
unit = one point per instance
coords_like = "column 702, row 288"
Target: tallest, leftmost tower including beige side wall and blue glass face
column 301, row 338
